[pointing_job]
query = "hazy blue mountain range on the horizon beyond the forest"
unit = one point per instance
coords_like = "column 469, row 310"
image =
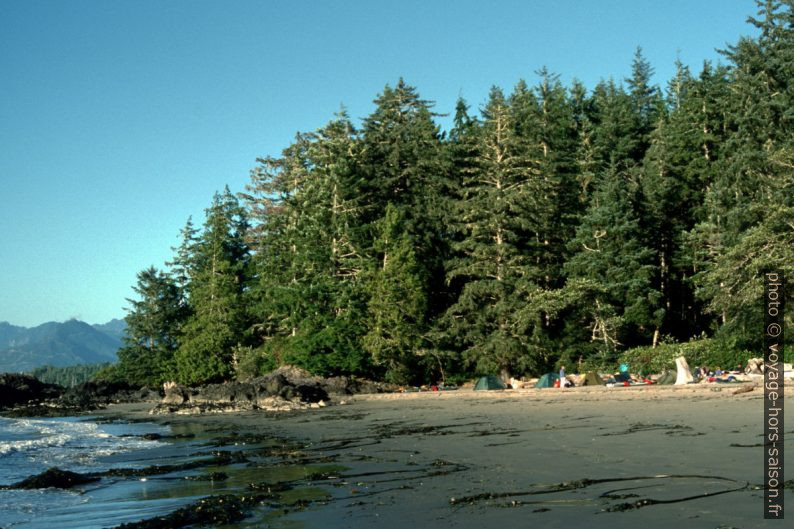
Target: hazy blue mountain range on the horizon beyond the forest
column 58, row 344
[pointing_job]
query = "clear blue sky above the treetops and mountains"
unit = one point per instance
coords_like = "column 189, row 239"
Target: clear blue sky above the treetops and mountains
column 119, row 119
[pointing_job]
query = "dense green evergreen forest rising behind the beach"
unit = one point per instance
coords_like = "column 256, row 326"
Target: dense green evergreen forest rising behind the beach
column 555, row 226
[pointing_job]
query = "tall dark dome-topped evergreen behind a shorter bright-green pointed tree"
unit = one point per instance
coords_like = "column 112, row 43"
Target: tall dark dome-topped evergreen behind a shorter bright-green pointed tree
column 404, row 164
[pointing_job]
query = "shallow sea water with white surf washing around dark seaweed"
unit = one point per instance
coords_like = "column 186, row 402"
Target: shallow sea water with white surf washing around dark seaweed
column 30, row 446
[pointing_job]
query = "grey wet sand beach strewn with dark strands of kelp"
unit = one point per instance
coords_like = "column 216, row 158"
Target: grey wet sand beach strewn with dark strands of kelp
column 686, row 456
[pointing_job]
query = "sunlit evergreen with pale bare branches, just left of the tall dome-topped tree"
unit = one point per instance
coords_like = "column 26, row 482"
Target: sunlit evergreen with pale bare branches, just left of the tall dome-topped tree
column 330, row 257
